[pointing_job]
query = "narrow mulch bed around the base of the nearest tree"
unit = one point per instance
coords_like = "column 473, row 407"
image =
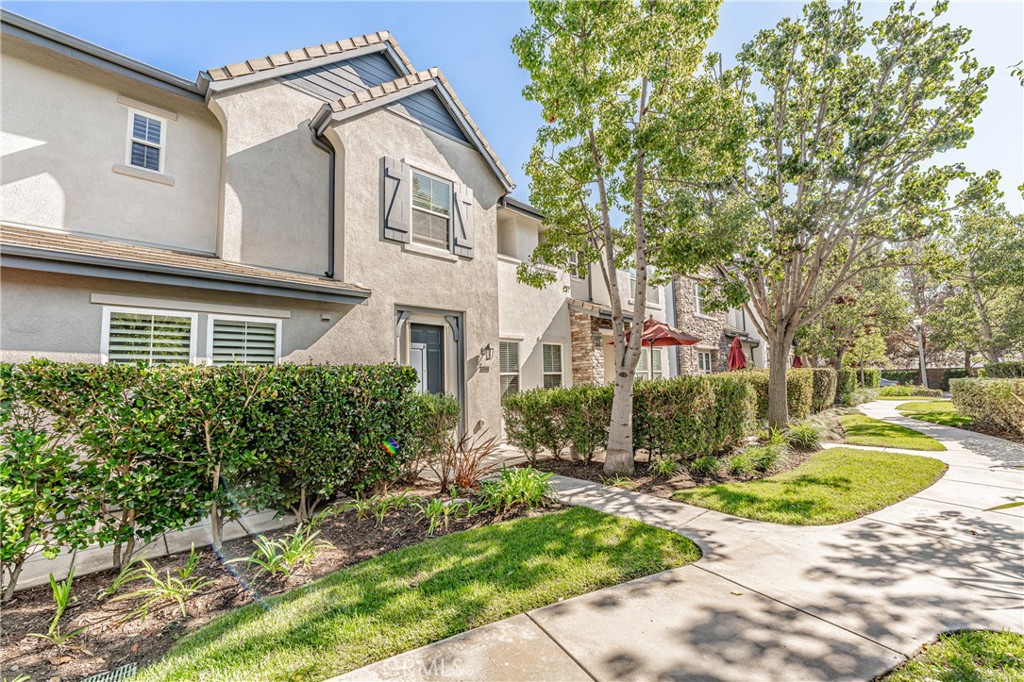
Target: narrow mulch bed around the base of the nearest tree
column 651, row 484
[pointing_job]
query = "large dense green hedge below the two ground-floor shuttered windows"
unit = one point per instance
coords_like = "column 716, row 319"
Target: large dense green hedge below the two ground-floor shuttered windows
column 110, row 454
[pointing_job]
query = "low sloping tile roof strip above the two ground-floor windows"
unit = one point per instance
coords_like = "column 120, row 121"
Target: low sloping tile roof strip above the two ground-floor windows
column 74, row 248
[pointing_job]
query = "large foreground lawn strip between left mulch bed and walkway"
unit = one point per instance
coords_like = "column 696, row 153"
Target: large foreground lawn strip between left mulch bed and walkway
column 410, row 598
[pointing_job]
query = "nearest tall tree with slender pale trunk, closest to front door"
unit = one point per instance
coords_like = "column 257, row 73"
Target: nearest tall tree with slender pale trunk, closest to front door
column 632, row 130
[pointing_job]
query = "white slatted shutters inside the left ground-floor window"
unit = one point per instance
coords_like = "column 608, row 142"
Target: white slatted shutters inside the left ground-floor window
column 149, row 338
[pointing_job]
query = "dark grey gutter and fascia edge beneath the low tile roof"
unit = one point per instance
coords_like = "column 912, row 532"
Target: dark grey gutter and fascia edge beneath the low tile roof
column 23, row 258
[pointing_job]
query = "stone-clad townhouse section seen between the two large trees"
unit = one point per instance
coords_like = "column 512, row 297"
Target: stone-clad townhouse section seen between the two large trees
column 716, row 330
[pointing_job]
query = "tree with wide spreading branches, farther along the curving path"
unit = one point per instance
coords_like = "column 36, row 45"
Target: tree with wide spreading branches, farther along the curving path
column 845, row 118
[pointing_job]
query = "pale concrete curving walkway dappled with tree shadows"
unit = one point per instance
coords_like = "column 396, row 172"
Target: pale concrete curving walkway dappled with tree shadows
column 775, row 603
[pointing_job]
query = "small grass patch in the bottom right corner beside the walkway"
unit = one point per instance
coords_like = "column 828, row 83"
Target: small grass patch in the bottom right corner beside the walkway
column 966, row 657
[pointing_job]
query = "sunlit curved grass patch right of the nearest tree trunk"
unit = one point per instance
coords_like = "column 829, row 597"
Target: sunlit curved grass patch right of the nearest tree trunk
column 835, row 486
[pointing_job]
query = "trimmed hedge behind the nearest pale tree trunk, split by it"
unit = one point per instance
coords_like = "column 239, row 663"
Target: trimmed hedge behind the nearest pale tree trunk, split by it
column 681, row 417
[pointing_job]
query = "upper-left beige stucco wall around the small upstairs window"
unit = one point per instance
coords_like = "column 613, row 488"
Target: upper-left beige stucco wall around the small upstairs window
column 64, row 131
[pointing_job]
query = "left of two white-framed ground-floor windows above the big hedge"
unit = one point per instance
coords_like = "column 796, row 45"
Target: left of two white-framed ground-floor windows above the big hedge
column 154, row 337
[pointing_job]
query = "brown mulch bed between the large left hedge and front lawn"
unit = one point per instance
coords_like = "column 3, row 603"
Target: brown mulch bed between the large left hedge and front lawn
column 111, row 643
